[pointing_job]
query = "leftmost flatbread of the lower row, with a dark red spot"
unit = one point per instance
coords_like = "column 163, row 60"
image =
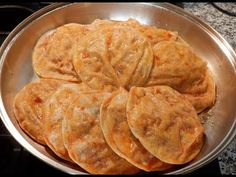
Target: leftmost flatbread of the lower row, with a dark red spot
column 28, row 106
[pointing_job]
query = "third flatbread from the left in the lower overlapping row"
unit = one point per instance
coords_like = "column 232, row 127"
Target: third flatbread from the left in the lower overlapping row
column 84, row 139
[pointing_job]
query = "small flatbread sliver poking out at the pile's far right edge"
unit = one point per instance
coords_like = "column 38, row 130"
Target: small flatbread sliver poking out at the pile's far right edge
column 203, row 99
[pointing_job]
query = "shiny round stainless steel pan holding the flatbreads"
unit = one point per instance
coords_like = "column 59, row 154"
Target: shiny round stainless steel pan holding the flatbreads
column 16, row 68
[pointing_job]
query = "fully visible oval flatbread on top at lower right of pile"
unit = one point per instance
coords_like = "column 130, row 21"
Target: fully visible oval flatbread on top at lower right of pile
column 165, row 123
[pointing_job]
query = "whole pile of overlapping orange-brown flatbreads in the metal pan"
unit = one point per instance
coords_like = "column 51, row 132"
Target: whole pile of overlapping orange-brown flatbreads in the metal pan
column 116, row 97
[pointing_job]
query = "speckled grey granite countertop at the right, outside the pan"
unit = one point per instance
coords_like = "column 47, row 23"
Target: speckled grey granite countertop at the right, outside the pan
column 226, row 25
